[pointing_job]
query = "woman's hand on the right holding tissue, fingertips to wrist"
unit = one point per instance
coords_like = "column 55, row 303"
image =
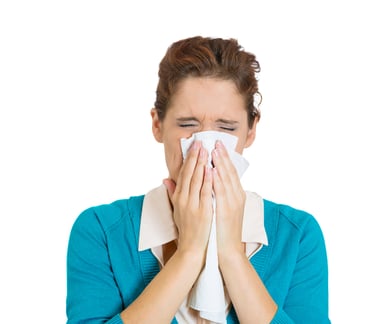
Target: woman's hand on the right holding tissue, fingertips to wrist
column 230, row 202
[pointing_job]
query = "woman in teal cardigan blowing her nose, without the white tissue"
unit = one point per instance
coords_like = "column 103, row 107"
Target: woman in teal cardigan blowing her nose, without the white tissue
column 138, row 260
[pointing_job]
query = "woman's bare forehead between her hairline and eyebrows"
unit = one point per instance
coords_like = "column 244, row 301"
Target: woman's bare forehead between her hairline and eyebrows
column 207, row 96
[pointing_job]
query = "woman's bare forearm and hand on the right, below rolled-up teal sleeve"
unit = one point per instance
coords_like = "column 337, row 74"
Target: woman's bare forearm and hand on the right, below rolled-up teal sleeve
column 250, row 298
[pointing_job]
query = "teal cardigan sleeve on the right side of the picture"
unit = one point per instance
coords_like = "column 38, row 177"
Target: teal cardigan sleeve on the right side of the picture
column 307, row 298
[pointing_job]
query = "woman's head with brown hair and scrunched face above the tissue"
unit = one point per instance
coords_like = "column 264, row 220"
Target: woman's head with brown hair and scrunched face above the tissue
column 205, row 84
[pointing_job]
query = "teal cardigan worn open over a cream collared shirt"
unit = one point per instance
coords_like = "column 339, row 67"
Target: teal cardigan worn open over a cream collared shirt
column 106, row 272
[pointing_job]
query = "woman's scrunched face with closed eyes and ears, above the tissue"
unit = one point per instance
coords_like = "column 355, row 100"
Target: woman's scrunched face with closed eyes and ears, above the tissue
column 201, row 104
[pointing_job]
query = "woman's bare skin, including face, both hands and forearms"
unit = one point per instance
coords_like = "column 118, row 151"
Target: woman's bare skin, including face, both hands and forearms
column 202, row 104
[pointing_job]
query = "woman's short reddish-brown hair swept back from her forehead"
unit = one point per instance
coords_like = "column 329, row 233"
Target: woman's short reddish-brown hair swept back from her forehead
column 208, row 57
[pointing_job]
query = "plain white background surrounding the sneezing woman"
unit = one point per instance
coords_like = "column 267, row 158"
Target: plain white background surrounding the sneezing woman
column 77, row 81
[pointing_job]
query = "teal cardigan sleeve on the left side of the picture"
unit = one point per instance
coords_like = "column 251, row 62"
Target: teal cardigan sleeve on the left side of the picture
column 92, row 293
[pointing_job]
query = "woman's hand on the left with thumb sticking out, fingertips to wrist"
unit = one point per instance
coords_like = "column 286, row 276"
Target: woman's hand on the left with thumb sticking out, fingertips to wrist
column 191, row 198
